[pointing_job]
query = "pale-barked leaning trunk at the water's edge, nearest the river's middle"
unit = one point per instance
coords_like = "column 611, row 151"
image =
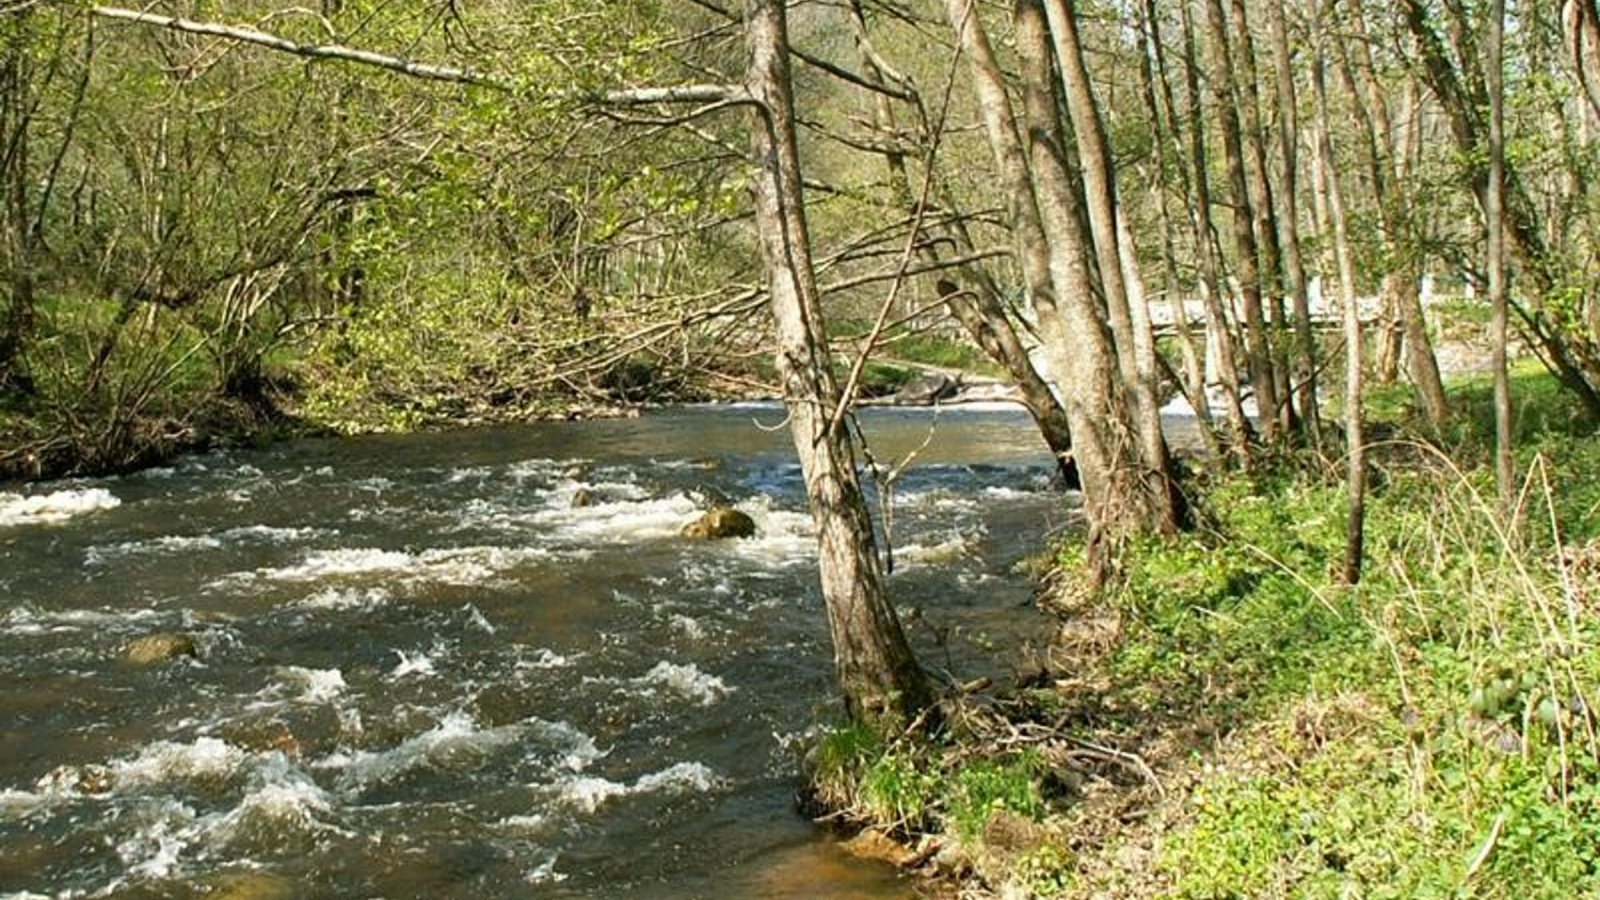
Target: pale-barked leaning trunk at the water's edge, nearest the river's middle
column 882, row 683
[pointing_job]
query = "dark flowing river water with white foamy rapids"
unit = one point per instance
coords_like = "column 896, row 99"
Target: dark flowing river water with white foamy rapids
column 422, row 672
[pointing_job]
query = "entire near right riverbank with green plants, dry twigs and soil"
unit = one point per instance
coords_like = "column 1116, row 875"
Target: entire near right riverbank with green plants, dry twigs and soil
column 1233, row 723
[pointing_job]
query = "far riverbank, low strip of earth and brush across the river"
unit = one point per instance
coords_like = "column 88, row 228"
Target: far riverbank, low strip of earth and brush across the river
column 57, row 435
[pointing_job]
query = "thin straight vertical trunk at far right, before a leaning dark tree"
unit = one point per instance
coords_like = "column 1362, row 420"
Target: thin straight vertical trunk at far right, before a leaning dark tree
column 1495, row 219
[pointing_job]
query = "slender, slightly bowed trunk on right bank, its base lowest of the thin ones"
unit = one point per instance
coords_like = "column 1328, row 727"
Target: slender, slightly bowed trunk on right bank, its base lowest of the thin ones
column 1356, row 449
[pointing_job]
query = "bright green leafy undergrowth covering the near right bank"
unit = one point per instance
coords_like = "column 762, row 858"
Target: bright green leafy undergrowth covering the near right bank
column 1394, row 733
